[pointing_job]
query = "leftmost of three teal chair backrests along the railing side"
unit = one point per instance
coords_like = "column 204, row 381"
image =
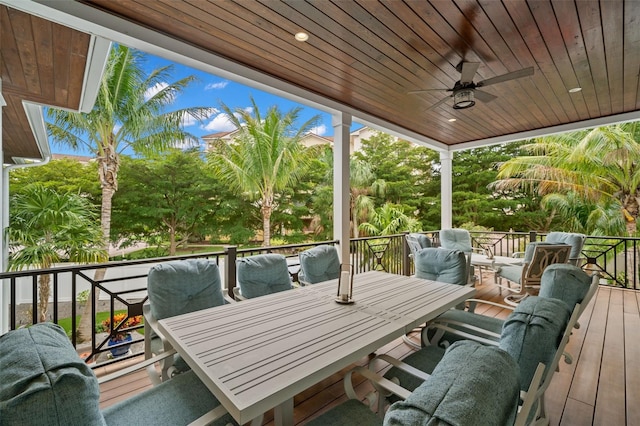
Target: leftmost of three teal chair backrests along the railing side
column 182, row 286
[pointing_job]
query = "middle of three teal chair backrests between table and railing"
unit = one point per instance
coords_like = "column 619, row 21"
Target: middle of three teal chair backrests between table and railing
column 263, row 274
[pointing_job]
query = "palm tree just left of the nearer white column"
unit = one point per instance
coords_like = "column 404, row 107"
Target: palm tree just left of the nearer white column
column 266, row 157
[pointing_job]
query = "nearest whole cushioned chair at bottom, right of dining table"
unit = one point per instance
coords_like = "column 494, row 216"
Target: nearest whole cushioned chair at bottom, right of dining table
column 472, row 384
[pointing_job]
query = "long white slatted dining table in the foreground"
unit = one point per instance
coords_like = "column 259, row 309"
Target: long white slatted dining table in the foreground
column 258, row 354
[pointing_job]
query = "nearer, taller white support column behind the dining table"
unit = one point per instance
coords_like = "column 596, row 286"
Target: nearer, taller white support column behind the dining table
column 341, row 123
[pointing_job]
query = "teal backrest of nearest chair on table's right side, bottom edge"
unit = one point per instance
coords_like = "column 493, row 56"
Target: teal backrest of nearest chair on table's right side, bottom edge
column 472, row 384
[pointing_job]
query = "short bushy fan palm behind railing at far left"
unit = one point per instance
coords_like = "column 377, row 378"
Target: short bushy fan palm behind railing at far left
column 47, row 227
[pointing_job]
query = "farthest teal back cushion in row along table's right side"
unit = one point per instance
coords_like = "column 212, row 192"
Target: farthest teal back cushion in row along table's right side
column 566, row 282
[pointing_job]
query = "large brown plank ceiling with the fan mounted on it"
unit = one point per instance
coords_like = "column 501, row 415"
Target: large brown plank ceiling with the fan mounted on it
column 369, row 54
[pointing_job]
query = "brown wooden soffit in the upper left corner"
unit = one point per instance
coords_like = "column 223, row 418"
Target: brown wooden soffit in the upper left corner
column 41, row 62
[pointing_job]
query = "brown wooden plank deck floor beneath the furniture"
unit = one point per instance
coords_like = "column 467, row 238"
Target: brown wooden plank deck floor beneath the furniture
column 600, row 387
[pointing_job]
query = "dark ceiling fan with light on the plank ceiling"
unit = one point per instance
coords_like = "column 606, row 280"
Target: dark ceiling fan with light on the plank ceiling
column 465, row 91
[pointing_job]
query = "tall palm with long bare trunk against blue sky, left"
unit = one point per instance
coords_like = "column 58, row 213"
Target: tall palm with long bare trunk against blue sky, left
column 125, row 116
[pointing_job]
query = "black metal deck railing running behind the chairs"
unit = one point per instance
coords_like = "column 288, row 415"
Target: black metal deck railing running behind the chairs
column 122, row 284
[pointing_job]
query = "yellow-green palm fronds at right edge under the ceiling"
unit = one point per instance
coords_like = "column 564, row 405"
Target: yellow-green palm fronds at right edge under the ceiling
column 601, row 166
